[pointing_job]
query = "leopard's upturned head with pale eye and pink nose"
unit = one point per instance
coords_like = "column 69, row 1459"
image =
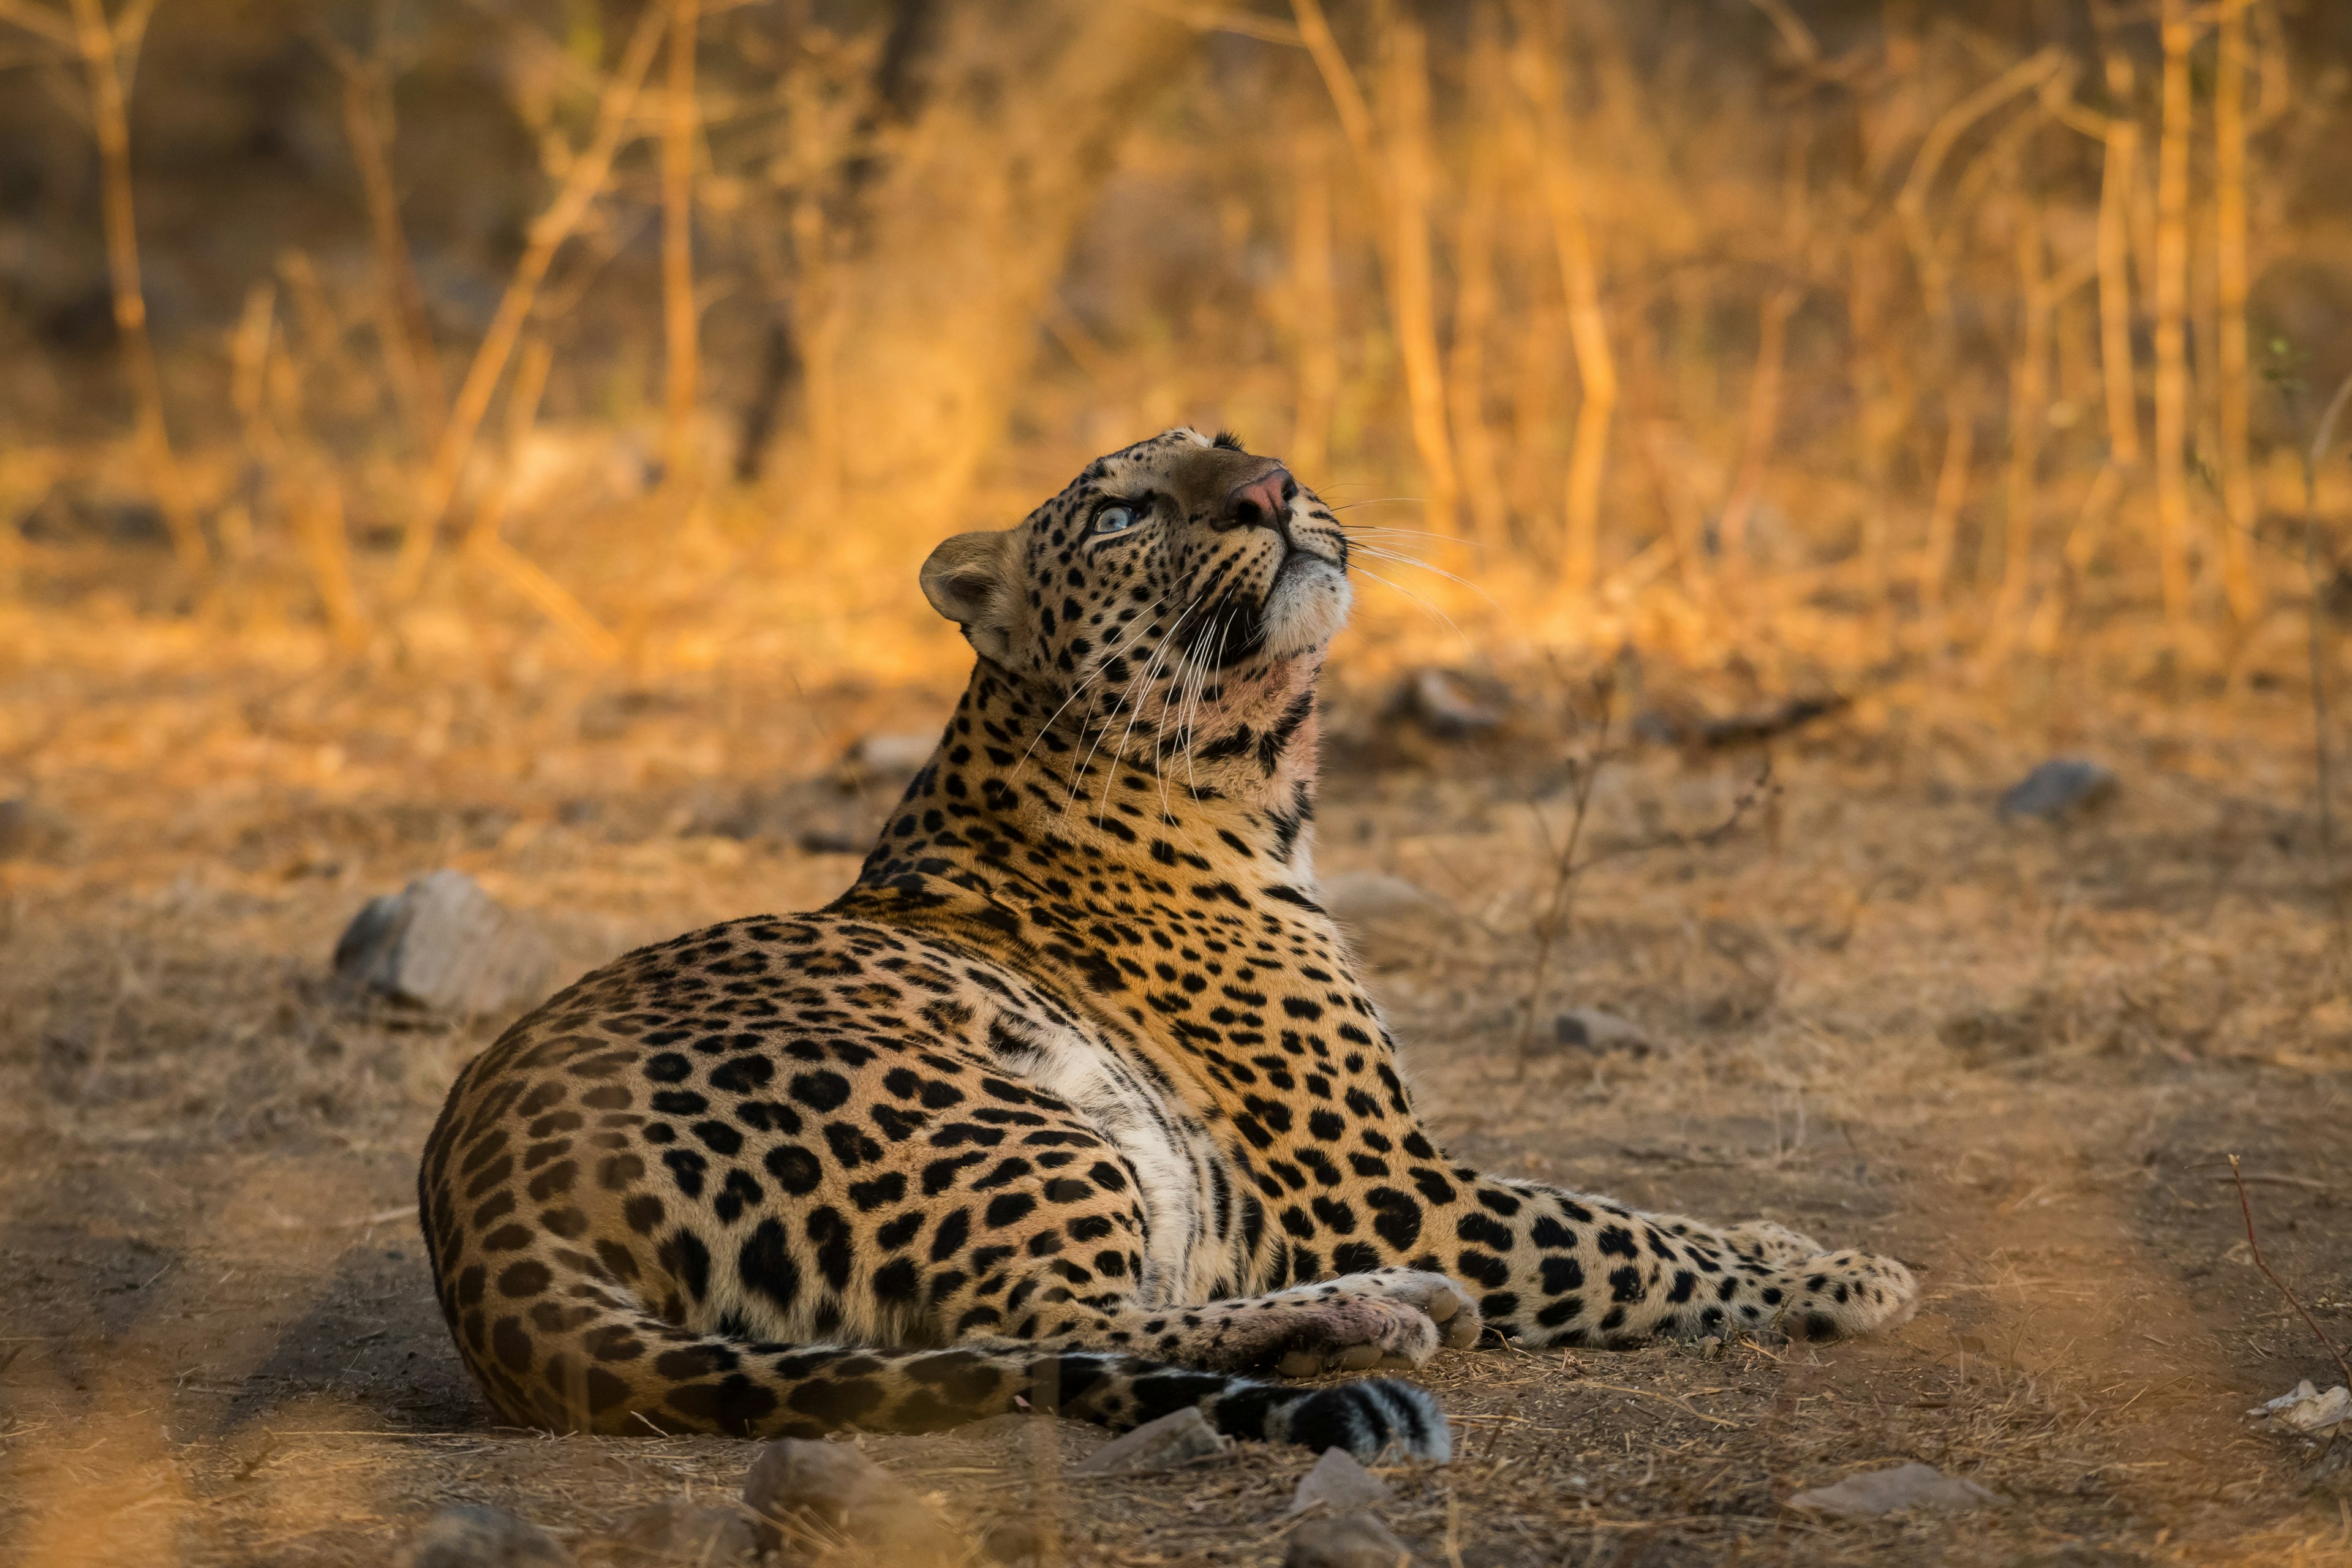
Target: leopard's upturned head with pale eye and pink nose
column 1172, row 596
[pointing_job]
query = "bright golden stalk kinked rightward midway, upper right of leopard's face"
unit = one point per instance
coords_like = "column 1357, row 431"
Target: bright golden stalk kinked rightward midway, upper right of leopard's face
column 1579, row 279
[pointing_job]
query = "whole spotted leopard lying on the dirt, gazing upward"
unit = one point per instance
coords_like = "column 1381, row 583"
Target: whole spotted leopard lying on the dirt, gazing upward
column 1076, row 1101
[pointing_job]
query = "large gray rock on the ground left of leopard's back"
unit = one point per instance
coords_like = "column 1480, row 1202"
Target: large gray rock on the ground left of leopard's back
column 448, row 946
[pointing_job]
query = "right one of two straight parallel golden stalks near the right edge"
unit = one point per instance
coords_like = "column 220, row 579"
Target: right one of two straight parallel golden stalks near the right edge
column 2233, row 377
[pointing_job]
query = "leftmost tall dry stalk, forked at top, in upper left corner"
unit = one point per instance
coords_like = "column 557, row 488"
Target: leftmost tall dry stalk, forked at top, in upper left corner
column 102, row 48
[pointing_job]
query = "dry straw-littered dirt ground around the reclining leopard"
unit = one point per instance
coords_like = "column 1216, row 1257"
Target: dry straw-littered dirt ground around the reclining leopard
column 2012, row 1054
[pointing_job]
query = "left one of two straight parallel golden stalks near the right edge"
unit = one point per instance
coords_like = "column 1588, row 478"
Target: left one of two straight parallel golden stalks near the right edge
column 2172, row 319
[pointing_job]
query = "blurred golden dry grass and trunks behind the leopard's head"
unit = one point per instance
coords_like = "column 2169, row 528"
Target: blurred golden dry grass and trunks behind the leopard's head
column 599, row 333
